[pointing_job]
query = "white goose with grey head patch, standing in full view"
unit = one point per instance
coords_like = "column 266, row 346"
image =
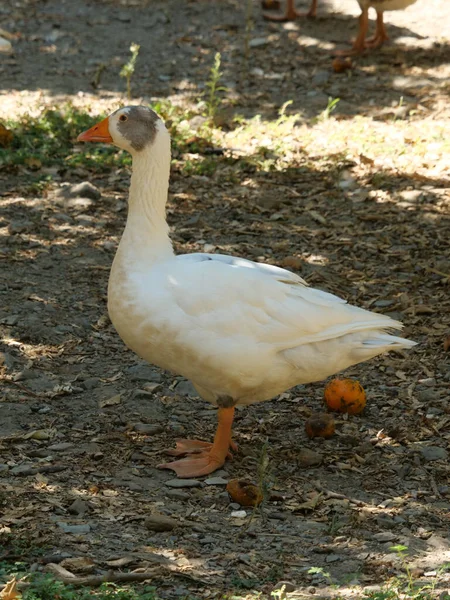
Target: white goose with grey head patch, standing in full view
column 242, row 332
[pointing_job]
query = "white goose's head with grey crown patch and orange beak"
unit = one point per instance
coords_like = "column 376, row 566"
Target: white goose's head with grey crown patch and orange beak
column 132, row 128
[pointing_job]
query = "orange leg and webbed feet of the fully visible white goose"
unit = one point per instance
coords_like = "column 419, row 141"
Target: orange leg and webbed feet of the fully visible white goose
column 205, row 458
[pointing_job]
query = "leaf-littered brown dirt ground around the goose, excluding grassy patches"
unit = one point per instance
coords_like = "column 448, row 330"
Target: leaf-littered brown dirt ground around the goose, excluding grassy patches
column 84, row 422
